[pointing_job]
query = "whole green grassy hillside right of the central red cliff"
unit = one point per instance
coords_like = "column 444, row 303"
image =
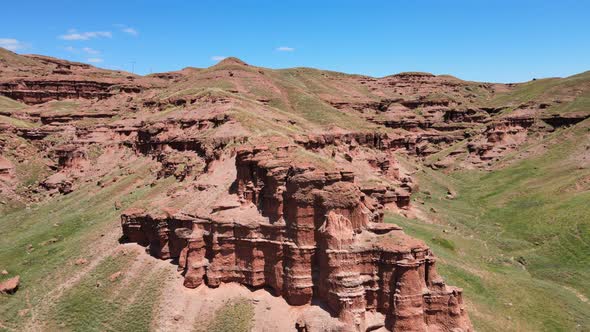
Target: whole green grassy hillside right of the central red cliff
column 517, row 238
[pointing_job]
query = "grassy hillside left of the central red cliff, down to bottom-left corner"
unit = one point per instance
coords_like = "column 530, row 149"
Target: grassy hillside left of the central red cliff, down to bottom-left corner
column 44, row 243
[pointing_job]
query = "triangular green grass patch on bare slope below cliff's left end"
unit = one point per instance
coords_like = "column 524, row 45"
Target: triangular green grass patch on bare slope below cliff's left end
column 101, row 302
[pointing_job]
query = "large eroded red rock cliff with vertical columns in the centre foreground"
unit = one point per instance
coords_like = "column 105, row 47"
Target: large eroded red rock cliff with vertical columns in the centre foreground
column 308, row 234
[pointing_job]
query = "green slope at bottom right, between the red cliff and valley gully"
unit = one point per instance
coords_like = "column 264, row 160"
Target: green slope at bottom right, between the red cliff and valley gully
column 500, row 294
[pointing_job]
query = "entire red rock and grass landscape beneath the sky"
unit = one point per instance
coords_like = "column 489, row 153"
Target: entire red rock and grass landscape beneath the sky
column 493, row 178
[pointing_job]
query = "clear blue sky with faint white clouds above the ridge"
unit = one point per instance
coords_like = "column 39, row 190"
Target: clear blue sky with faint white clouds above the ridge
column 498, row 41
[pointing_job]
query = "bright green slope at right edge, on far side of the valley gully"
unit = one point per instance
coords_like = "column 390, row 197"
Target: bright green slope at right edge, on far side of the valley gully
column 540, row 208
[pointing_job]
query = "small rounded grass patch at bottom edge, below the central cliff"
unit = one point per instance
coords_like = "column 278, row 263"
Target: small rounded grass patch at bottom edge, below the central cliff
column 235, row 316
